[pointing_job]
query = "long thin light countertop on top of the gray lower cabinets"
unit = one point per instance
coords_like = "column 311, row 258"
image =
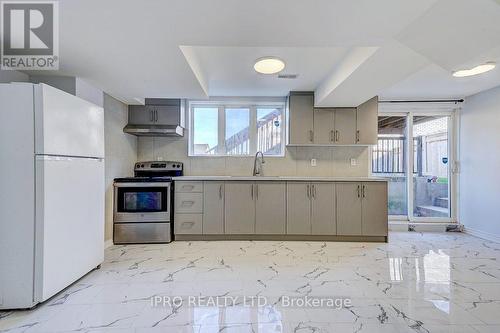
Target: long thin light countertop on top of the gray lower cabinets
column 282, row 178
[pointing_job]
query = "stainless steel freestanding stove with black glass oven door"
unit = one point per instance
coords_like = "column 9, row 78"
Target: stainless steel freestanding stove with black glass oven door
column 143, row 203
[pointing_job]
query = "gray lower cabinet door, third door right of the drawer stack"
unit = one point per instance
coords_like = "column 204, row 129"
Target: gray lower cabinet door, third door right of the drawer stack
column 270, row 208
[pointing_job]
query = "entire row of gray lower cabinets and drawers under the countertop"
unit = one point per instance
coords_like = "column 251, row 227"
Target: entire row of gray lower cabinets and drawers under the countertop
column 281, row 207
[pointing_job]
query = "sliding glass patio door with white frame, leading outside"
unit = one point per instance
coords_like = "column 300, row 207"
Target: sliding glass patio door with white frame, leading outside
column 415, row 151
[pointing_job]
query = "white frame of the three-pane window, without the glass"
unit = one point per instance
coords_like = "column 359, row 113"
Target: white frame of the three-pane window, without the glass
column 252, row 106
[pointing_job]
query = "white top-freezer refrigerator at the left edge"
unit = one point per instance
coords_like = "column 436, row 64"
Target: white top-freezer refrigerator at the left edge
column 51, row 192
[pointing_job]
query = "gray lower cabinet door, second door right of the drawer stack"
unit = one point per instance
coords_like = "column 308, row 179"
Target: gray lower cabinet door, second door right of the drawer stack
column 239, row 208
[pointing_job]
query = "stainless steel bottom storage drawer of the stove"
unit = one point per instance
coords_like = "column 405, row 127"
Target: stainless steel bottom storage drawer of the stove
column 131, row 233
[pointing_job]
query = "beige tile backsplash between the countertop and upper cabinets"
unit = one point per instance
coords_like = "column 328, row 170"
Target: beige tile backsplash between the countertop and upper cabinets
column 331, row 161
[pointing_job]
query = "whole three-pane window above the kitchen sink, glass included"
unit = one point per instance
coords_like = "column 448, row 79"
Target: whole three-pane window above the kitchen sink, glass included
column 218, row 129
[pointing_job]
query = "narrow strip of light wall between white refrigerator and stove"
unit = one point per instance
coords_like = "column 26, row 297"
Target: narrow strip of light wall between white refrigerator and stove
column 120, row 152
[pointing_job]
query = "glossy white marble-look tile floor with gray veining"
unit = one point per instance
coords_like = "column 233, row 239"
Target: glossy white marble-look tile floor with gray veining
column 427, row 282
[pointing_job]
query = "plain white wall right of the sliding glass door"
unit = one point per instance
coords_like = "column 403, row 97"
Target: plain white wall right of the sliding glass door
column 480, row 164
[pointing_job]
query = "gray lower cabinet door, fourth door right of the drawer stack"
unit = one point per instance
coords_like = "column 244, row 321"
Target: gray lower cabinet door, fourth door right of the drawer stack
column 298, row 208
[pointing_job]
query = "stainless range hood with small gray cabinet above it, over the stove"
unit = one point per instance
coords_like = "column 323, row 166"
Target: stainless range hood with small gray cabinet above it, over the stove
column 158, row 117
